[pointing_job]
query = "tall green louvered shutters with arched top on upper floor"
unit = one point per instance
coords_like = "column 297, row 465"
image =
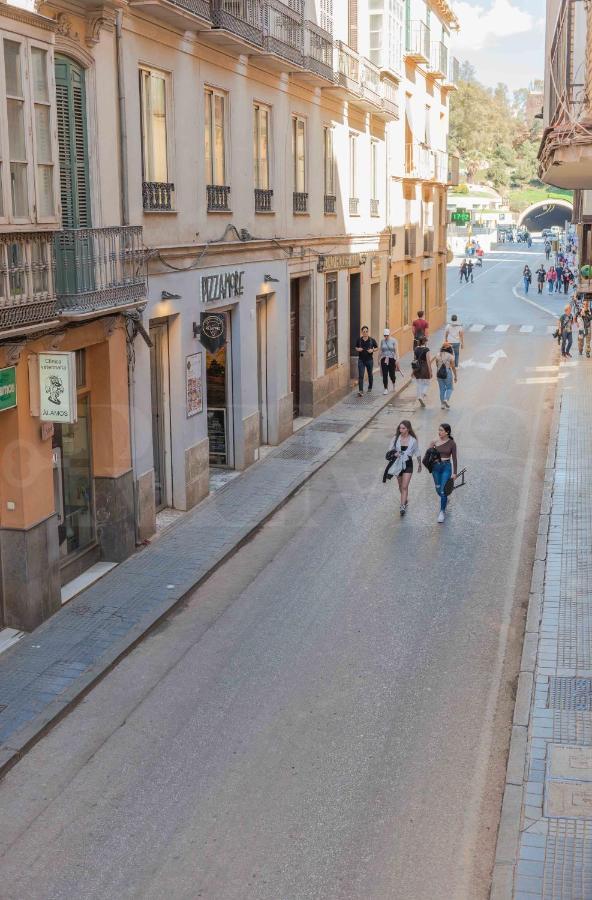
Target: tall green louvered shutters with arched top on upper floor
column 72, row 144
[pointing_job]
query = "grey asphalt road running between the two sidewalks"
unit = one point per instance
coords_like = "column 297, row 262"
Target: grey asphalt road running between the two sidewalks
column 328, row 716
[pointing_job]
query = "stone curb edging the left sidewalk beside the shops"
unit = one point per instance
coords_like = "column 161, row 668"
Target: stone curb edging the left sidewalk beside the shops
column 24, row 739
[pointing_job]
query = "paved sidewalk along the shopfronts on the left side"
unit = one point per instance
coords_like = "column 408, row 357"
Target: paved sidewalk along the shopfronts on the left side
column 48, row 670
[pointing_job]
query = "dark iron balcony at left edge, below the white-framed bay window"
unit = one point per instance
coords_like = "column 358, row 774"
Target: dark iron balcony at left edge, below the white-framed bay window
column 27, row 295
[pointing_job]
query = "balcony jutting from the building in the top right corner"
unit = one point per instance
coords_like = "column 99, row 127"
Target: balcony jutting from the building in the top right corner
column 565, row 154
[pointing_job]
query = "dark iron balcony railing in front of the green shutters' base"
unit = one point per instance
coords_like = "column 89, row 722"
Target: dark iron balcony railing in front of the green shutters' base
column 99, row 268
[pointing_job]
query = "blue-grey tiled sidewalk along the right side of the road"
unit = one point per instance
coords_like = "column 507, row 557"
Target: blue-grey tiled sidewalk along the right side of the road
column 544, row 845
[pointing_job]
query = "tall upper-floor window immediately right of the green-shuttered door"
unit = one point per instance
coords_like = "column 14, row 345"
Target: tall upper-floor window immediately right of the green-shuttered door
column 153, row 91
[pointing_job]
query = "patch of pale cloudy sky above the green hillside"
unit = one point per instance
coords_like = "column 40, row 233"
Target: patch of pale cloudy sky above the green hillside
column 503, row 39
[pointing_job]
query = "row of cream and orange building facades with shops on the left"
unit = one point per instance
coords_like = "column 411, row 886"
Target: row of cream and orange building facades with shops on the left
column 236, row 188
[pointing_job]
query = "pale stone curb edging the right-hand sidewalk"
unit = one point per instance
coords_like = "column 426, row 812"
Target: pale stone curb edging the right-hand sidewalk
column 508, row 836
